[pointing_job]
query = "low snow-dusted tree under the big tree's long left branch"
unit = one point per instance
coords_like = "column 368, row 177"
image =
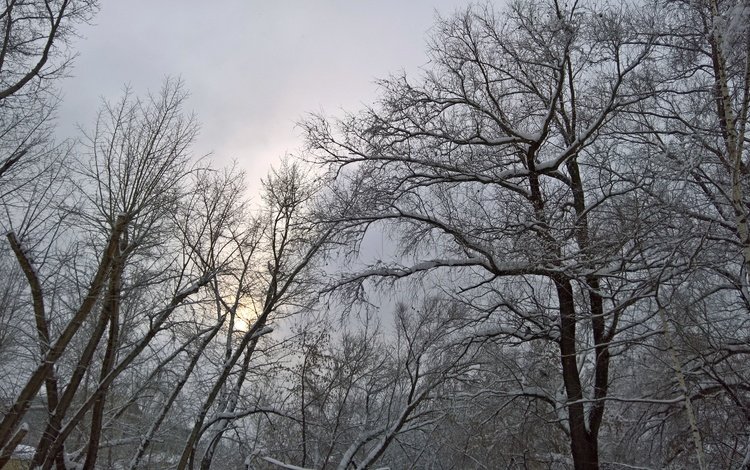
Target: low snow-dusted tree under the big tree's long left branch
column 358, row 396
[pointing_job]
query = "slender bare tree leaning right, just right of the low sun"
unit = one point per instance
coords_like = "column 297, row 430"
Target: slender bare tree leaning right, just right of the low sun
column 275, row 275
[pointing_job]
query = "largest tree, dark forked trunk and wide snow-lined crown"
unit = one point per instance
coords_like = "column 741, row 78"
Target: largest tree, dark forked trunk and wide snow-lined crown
column 506, row 180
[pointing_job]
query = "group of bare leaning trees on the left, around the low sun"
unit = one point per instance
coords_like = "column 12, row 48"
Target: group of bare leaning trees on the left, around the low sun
column 140, row 282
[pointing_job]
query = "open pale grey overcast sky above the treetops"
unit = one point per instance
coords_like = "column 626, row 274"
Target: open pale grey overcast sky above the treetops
column 253, row 67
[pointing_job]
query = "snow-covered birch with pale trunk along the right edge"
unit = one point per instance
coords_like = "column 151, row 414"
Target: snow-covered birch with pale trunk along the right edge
column 695, row 128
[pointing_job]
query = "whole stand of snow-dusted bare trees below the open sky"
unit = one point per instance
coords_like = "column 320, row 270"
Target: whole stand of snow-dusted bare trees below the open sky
column 563, row 196
